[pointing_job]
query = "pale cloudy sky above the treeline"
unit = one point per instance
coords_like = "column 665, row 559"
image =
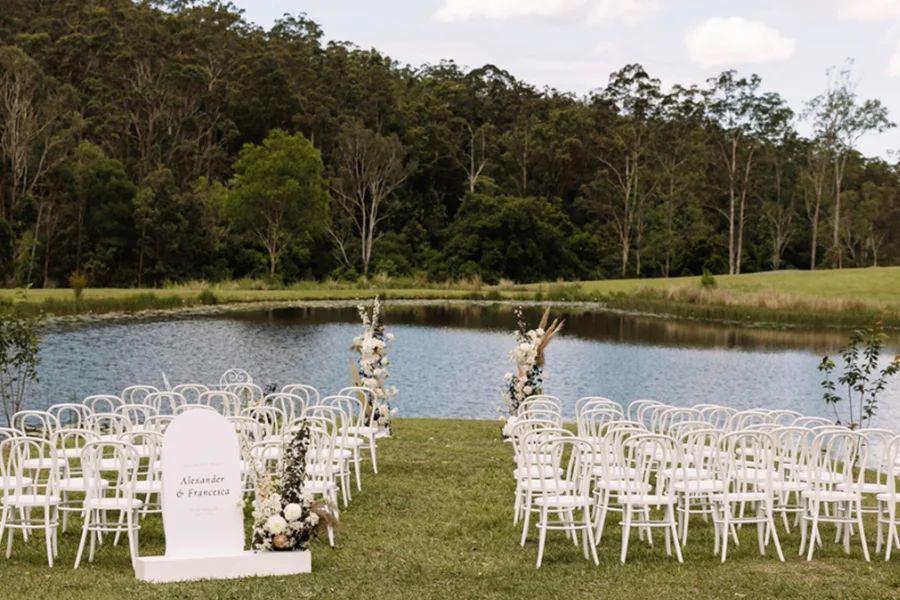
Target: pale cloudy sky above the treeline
column 573, row 45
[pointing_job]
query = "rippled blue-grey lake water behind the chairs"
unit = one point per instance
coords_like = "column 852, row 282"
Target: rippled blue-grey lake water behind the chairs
column 449, row 359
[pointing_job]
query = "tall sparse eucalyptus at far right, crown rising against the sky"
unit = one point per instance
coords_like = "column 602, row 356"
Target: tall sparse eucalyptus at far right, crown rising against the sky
column 839, row 119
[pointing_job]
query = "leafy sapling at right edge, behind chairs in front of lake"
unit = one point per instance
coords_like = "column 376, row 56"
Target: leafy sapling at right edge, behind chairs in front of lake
column 863, row 378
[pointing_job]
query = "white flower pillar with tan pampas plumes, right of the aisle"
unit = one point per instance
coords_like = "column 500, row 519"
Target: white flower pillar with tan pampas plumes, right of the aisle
column 528, row 357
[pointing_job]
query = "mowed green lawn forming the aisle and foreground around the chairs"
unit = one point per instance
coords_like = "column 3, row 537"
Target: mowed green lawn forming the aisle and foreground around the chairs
column 437, row 523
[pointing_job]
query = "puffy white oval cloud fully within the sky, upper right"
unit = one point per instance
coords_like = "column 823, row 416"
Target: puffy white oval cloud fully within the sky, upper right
column 734, row 41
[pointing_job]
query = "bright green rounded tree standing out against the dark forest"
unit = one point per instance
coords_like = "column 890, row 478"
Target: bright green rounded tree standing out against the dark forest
column 278, row 196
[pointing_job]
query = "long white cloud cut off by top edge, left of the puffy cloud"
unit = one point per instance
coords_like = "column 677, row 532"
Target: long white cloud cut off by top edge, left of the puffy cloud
column 629, row 11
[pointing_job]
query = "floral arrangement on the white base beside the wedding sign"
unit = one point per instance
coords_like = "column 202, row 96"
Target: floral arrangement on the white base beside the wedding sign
column 284, row 518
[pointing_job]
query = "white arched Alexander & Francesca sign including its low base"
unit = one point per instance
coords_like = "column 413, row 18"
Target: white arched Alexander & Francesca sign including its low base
column 202, row 509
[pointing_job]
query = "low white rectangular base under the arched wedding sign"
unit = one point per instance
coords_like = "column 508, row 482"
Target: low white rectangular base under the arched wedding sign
column 162, row 569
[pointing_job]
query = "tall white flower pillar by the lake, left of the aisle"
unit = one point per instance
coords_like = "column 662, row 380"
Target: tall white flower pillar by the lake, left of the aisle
column 371, row 368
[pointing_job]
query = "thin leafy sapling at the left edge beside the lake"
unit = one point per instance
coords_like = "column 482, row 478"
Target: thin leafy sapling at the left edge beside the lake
column 19, row 344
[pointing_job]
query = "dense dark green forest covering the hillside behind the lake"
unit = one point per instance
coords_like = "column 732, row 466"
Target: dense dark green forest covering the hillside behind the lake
column 151, row 142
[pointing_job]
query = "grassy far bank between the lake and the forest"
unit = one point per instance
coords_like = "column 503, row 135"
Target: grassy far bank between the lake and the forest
column 844, row 298
